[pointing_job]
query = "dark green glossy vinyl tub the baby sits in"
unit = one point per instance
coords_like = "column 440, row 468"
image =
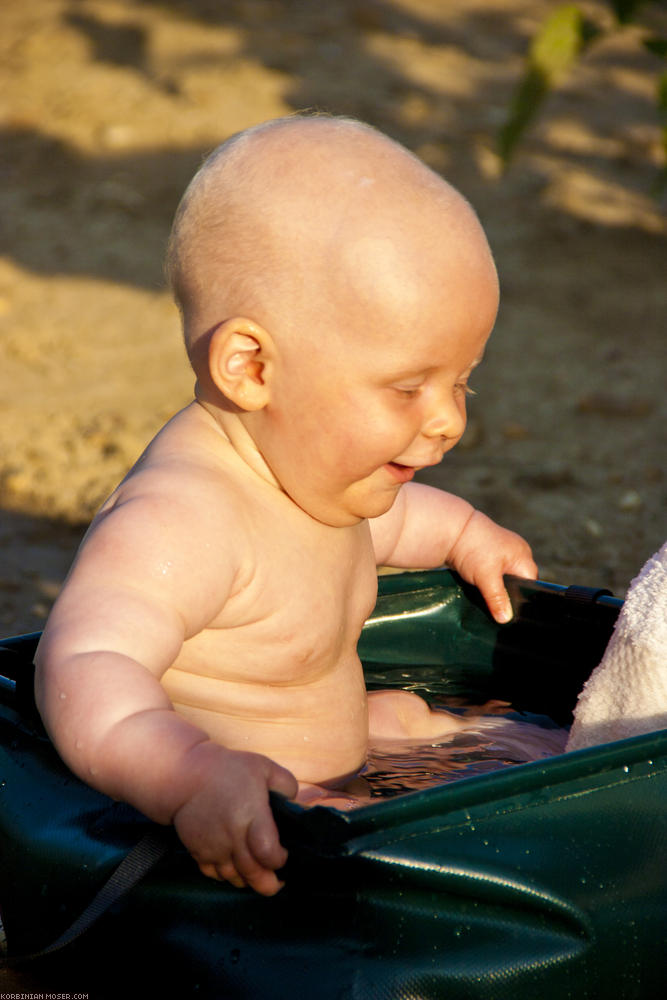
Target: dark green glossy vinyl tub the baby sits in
column 544, row 880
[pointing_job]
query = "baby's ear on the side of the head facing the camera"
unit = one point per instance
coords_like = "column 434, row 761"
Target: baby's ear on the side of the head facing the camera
column 239, row 357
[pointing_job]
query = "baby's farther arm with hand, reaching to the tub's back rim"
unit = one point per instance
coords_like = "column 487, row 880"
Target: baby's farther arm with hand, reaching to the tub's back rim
column 427, row 527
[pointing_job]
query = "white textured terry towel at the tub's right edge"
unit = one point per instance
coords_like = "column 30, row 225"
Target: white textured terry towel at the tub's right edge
column 627, row 693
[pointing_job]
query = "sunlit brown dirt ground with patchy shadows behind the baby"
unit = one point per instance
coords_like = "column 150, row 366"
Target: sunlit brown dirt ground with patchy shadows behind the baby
column 106, row 109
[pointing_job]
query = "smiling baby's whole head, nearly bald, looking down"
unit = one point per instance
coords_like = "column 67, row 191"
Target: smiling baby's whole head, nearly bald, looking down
column 310, row 252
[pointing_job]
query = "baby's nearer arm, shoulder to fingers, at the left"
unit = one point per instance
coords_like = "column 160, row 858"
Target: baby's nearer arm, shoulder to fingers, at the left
column 139, row 587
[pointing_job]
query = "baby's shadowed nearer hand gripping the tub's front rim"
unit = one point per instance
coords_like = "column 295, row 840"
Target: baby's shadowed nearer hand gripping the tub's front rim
column 226, row 823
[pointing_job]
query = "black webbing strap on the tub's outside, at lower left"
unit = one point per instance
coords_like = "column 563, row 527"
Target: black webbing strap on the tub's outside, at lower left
column 141, row 859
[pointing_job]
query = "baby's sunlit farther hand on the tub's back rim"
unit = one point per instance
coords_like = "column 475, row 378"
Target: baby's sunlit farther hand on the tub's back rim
column 483, row 552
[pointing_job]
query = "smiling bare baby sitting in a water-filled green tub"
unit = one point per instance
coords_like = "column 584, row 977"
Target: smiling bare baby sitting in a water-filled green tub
column 336, row 295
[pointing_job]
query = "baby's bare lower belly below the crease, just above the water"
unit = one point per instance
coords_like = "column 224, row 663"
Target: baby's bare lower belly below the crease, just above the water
column 318, row 729
